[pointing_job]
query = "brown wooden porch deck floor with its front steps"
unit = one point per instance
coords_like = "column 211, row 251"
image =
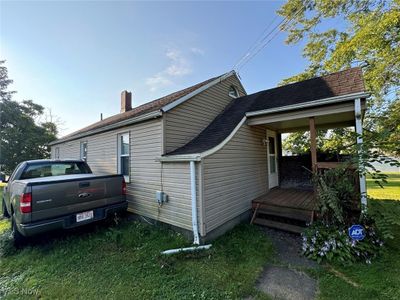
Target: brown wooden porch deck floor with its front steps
column 286, row 209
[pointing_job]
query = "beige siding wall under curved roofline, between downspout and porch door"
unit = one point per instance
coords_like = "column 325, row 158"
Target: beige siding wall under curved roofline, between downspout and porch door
column 234, row 176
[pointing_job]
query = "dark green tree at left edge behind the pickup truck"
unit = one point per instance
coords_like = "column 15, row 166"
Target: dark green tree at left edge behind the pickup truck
column 22, row 136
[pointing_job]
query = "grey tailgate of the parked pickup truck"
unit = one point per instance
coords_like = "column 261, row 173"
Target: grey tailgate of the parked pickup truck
column 62, row 196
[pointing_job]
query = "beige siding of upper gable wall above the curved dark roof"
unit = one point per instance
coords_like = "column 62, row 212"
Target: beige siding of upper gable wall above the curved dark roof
column 187, row 120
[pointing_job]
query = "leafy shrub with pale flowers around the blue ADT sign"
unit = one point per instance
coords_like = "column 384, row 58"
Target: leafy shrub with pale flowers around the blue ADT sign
column 327, row 239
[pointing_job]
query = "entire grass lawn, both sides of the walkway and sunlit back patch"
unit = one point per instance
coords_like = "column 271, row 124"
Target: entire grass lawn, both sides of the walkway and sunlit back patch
column 122, row 261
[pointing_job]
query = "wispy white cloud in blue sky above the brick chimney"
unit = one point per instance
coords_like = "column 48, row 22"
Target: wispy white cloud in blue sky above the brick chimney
column 178, row 66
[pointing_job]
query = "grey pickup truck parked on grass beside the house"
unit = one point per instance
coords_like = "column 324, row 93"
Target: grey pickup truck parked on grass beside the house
column 44, row 195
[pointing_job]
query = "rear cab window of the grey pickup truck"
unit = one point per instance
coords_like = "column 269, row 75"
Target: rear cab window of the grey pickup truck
column 55, row 169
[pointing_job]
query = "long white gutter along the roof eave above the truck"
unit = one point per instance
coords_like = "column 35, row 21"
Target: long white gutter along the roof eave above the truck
column 144, row 117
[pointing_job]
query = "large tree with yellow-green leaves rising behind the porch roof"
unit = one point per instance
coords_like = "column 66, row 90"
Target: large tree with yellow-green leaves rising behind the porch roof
column 364, row 33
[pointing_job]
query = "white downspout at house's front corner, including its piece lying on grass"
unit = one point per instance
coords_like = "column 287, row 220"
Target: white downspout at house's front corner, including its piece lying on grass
column 195, row 226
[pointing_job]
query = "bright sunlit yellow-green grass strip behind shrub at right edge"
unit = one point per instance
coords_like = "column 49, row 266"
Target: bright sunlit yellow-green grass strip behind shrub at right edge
column 390, row 190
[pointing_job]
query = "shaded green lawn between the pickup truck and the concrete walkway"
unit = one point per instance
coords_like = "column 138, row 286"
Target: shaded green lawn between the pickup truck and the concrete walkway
column 124, row 261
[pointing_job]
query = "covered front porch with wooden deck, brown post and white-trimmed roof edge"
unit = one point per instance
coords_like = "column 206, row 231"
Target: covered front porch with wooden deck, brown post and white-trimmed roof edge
column 291, row 204
